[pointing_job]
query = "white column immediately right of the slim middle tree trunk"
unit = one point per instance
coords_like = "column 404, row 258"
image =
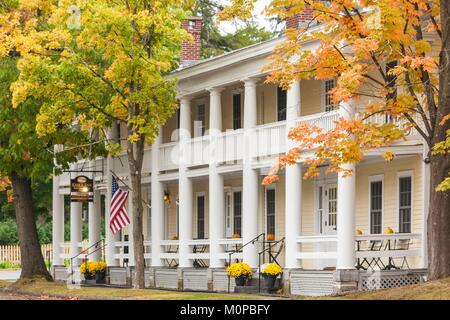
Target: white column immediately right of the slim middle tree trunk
column 157, row 205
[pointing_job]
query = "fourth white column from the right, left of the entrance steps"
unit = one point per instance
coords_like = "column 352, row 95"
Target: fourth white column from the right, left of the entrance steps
column 216, row 185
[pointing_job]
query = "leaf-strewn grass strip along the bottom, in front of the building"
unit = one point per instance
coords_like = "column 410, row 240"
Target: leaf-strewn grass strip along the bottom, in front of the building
column 429, row 290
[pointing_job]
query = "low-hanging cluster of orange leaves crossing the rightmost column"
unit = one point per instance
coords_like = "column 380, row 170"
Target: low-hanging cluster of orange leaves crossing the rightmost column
column 345, row 143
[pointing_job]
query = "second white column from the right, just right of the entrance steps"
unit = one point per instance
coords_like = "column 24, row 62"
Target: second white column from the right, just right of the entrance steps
column 293, row 176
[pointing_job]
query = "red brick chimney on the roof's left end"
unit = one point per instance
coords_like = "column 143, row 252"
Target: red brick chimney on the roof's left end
column 191, row 51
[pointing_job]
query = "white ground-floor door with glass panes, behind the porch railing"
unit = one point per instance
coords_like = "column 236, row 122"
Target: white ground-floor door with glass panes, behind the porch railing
column 327, row 211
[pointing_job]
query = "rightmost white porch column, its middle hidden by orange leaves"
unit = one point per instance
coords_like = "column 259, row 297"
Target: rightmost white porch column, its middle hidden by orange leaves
column 346, row 208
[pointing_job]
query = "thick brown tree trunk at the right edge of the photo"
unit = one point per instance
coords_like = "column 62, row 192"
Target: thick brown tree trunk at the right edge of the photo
column 439, row 213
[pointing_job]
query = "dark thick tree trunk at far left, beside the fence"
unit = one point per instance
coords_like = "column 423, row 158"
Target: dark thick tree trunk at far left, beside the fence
column 30, row 250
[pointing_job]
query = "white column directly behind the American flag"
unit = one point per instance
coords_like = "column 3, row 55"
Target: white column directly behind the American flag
column 111, row 238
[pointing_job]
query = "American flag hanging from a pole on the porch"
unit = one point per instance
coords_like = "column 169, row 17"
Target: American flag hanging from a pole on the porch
column 118, row 216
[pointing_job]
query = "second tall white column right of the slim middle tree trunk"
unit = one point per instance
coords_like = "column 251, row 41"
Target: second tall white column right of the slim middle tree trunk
column 185, row 185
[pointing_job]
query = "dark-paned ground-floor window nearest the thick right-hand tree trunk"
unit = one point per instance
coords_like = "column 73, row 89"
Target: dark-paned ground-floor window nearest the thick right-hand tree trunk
column 404, row 206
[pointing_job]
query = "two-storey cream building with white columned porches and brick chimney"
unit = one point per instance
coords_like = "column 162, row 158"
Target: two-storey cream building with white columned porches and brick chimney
column 202, row 183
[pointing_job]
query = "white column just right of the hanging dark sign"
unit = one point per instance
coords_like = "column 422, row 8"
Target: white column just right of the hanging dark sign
column 94, row 226
